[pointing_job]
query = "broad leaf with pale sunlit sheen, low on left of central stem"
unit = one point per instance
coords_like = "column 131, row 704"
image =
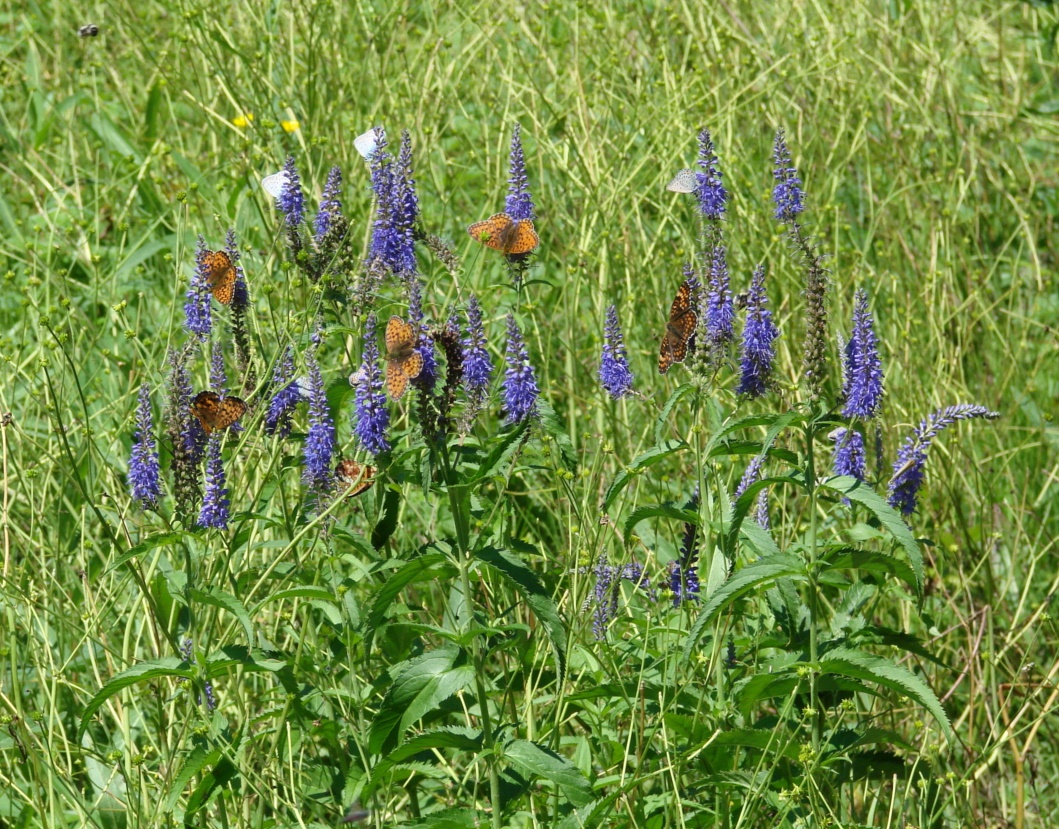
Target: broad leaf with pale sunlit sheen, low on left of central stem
column 423, row 682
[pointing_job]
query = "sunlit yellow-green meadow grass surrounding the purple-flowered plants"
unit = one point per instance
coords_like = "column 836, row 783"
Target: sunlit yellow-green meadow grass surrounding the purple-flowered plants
column 926, row 135
